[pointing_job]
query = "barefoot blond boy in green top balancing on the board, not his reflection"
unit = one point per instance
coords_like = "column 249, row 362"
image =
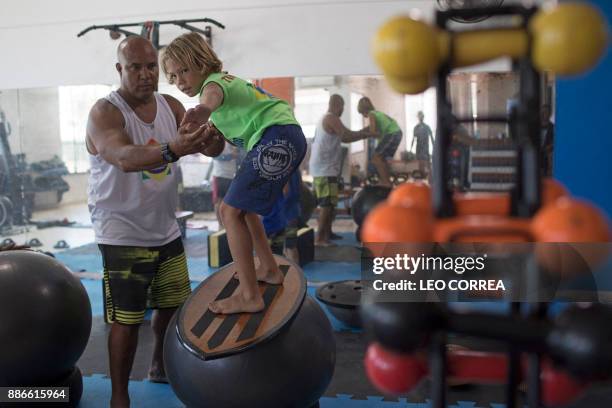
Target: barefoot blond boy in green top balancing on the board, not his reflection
column 265, row 126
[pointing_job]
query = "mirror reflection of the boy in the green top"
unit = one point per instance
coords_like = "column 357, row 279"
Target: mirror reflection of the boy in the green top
column 390, row 136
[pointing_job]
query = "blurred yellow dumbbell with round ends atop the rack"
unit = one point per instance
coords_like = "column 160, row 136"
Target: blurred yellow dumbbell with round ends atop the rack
column 568, row 39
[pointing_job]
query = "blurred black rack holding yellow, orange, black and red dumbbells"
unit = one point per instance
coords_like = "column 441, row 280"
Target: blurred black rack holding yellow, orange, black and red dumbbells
column 516, row 216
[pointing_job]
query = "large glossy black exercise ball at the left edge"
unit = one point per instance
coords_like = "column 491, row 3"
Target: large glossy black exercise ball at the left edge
column 45, row 318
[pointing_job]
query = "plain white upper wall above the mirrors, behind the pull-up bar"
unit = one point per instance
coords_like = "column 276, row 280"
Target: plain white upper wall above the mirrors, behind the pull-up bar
column 263, row 38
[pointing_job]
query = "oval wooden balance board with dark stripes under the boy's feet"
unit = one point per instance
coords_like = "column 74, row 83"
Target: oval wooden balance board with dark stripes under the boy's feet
column 209, row 335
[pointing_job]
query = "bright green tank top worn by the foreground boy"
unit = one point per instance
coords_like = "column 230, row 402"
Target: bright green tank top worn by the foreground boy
column 247, row 110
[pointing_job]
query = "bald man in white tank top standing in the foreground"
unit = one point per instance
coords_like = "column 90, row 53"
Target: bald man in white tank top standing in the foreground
column 133, row 142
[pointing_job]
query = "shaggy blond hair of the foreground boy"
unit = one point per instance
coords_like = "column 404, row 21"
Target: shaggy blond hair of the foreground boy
column 193, row 52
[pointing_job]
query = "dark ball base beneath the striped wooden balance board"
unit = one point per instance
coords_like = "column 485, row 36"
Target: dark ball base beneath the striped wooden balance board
column 290, row 370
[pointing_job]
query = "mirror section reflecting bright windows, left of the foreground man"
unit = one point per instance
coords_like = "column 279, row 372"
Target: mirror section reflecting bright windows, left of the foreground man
column 42, row 165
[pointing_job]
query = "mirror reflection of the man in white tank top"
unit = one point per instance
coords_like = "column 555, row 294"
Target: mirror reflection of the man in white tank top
column 325, row 162
